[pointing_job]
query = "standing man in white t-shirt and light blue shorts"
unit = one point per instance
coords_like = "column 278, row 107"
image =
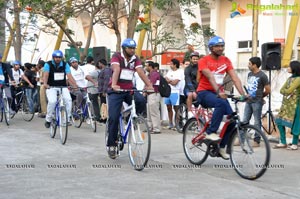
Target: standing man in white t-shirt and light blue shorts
column 173, row 77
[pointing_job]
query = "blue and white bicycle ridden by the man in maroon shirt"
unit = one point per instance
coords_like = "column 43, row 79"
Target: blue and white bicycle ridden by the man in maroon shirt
column 136, row 128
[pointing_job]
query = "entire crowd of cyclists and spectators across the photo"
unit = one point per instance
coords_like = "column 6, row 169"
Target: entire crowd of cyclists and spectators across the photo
column 199, row 78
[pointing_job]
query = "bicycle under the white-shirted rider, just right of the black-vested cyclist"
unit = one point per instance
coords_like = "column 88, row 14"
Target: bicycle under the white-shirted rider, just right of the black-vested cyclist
column 85, row 112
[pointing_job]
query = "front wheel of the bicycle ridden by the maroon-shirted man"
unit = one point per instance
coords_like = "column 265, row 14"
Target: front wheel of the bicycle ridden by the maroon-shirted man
column 139, row 143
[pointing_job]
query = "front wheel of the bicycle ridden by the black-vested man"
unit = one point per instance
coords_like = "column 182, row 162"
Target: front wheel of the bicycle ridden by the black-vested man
column 63, row 124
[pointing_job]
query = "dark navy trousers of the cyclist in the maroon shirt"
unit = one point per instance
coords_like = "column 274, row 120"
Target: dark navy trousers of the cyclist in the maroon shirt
column 115, row 103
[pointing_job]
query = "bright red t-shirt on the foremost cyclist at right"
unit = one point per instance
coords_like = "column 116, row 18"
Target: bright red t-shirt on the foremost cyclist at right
column 217, row 66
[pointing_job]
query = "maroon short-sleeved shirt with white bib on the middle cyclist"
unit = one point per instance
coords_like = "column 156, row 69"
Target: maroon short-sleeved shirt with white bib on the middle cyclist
column 127, row 69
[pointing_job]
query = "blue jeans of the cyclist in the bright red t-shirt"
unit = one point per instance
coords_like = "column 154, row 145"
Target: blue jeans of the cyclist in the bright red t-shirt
column 221, row 107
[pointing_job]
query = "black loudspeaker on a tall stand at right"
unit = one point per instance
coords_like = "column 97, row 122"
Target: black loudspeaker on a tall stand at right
column 270, row 54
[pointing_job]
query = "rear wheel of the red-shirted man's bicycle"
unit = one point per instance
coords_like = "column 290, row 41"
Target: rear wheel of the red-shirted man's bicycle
column 195, row 153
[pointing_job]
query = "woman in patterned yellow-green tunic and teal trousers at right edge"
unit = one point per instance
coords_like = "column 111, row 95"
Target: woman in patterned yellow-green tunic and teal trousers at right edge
column 289, row 113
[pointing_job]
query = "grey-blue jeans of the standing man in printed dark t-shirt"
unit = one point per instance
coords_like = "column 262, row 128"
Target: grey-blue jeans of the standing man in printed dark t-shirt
column 255, row 109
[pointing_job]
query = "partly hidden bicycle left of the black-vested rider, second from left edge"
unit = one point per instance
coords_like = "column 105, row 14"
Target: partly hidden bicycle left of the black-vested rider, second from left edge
column 22, row 105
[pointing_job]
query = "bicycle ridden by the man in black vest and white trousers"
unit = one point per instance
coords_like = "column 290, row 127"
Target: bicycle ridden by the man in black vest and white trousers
column 60, row 119
